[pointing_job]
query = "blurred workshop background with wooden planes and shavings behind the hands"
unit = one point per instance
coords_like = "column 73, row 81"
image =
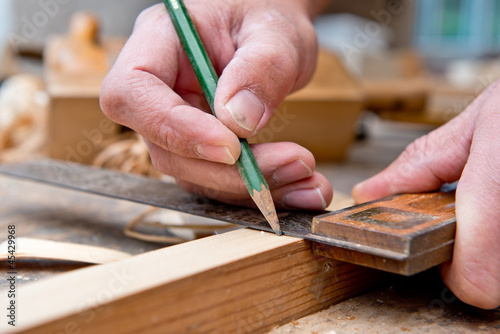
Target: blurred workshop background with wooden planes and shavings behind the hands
column 386, row 67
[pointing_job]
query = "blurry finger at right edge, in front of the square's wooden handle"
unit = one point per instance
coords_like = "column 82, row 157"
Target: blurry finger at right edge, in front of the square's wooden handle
column 474, row 273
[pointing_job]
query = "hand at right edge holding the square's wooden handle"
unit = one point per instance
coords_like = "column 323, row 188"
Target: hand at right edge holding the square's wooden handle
column 465, row 149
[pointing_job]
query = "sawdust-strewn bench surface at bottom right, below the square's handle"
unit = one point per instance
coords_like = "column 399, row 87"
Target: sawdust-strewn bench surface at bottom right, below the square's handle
column 419, row 304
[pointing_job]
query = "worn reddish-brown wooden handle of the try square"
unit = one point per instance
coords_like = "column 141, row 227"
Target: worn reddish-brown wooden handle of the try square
column 403, row 234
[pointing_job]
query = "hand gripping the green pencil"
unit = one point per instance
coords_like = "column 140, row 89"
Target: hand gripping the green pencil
column 263, row 50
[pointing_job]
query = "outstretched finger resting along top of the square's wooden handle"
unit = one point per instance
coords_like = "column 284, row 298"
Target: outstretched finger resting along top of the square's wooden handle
column 436, row 158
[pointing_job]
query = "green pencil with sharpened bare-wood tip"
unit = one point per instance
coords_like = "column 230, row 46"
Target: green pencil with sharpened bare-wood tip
column 205, row 72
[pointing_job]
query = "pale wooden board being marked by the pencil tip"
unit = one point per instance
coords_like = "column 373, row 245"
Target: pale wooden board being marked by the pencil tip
column 241, row 281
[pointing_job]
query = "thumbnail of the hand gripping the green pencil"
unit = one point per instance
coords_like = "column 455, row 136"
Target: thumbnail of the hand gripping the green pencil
column 246, row 109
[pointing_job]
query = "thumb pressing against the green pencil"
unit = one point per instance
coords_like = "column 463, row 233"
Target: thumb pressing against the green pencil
column 275, row 55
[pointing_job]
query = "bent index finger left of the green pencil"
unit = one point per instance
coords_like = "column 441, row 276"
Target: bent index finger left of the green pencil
column 139, row 93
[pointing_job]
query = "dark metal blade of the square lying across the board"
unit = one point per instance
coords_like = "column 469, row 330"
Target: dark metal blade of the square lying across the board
column 144, row 190
